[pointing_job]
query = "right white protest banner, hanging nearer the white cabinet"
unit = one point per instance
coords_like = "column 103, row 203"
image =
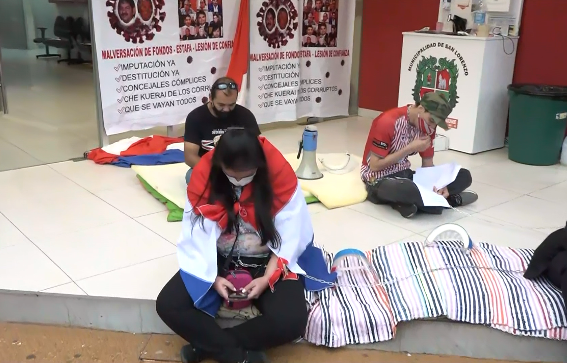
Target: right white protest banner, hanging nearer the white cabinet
column 300, row 58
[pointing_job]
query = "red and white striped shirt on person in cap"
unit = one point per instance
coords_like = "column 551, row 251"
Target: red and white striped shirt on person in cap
column 390, row 132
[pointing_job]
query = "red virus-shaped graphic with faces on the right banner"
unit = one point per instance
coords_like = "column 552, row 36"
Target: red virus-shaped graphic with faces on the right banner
column 278, row 21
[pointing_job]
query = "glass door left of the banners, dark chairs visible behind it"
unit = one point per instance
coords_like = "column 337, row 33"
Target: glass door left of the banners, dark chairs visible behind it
column 47, row 97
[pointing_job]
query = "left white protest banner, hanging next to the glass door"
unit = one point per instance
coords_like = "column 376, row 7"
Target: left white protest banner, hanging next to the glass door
column 158, row 58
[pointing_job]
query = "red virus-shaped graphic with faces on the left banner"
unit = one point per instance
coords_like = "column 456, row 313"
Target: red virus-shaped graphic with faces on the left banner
column 136, row 20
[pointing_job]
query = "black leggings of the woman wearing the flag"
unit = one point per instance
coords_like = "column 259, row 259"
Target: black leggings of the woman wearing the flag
column 283, row 320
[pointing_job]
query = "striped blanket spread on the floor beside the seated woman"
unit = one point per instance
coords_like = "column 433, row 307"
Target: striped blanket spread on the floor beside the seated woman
column 408, row 282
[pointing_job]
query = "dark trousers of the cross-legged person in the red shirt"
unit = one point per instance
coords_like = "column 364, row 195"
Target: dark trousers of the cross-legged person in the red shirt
column 399, row 188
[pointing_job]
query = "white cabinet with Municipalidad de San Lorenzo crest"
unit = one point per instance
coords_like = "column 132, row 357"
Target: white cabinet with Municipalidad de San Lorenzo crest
column 473, row 73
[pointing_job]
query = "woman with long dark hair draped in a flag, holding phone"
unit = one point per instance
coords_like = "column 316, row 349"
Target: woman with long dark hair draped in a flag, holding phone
column 246, row 238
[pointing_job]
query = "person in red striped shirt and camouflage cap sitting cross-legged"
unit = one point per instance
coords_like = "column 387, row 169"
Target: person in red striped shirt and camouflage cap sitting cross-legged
column 397, row 134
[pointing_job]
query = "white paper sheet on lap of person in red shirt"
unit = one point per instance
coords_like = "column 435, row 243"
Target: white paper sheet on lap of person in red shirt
column 438, row 177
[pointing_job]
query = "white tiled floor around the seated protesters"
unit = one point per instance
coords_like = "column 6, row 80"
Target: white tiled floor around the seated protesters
column 80, row 228
